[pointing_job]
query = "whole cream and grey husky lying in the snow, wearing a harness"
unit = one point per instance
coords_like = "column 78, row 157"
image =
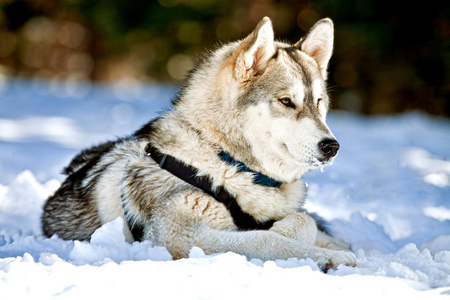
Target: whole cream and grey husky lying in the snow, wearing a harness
column 222, row 169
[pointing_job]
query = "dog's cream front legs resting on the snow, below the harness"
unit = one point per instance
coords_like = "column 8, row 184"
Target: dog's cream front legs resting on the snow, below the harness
column 186, row 226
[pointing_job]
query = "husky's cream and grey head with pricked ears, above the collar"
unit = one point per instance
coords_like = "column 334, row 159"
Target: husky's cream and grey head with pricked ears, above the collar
column 266, row 101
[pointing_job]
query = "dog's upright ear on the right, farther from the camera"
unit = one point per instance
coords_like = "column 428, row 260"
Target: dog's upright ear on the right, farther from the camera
column 318, row 43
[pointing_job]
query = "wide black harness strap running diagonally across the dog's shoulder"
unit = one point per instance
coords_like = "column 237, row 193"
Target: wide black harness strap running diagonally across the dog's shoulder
column 188, row 174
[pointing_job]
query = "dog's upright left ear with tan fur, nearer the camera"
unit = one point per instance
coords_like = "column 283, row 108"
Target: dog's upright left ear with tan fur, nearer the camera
column 254, row 51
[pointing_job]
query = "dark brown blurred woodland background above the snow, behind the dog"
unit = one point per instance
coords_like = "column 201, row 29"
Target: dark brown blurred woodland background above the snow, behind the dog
column 390, row 56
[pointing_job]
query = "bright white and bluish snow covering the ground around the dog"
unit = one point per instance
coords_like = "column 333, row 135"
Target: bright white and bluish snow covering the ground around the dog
column 387, row 194
